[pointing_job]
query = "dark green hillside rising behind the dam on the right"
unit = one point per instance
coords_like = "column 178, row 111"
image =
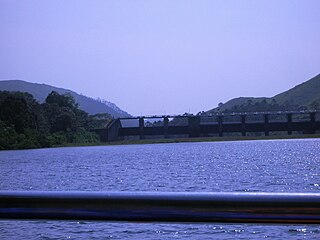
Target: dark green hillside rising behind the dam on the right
column 303, row 96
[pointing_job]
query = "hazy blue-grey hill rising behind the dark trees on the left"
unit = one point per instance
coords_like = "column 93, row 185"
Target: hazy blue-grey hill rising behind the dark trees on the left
column 41, row 91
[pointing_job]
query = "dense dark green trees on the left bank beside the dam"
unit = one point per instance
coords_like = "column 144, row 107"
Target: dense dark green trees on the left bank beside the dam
column 25, row 123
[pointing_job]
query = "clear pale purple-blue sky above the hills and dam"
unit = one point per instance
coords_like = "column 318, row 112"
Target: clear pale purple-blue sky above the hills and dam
column 156, row 57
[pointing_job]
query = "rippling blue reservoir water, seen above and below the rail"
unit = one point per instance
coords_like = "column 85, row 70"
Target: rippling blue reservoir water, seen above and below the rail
column 268, row 166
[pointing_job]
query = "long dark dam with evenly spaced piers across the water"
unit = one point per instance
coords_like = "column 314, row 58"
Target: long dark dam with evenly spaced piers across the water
column 217, row 125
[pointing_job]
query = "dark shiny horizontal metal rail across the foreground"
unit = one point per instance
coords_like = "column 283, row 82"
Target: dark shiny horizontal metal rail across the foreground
column 162, row 207
